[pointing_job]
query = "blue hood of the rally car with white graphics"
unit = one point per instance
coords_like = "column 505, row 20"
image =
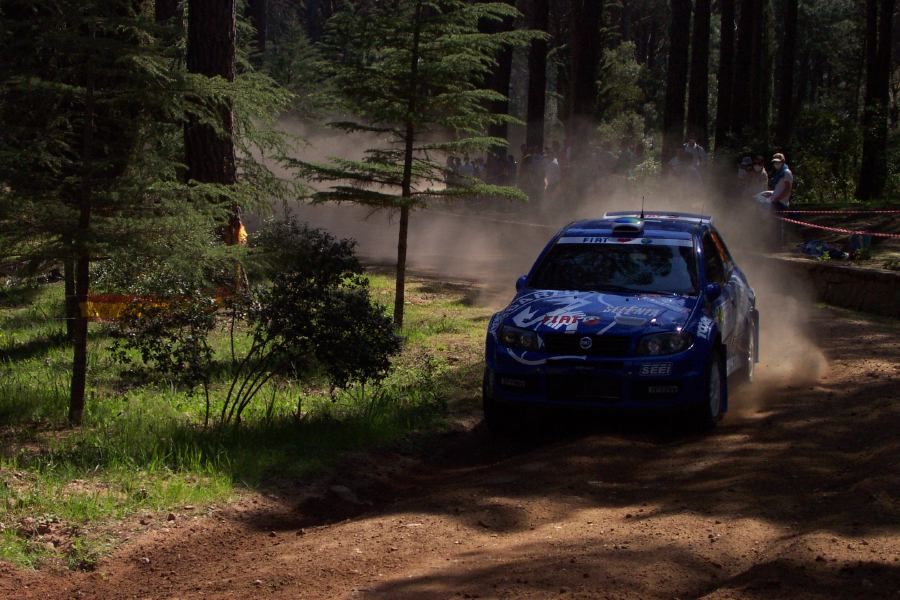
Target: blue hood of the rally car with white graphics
column 598, row 313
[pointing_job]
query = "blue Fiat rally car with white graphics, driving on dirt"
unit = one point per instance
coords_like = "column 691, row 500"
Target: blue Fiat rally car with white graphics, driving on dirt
column 632, row 311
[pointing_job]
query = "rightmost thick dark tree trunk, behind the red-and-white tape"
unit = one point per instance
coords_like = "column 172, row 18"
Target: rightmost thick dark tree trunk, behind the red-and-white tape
column 879, row 25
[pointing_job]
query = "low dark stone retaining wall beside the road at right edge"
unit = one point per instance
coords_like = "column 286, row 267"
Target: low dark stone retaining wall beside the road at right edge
column 869, row 290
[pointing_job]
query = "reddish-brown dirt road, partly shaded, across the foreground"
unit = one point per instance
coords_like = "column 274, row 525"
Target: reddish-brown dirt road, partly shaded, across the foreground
column 795, row 495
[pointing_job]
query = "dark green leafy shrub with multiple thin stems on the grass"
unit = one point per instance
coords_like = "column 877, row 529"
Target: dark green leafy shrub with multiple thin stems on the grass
column 314, row 315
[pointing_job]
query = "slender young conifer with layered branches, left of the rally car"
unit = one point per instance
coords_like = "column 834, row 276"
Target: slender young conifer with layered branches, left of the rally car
column 409, row 71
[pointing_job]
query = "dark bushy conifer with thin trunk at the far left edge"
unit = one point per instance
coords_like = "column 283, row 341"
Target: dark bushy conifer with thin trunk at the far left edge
column 92, row 106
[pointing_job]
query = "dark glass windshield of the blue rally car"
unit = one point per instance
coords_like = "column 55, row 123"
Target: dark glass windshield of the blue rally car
column 613, row 267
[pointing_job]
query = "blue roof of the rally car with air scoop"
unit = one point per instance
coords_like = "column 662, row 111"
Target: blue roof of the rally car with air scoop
column 650, row 224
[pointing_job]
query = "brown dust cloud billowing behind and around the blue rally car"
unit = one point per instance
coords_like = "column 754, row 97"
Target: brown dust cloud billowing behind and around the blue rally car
column 491, row 243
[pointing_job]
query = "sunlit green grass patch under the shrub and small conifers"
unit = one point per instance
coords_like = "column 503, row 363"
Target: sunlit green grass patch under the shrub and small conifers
column 143, row 447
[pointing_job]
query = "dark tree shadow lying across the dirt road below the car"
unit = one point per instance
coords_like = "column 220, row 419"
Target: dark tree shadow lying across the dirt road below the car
column 816, row 454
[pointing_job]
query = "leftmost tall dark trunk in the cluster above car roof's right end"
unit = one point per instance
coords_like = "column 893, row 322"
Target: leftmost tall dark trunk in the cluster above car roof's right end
column 676, row 79
